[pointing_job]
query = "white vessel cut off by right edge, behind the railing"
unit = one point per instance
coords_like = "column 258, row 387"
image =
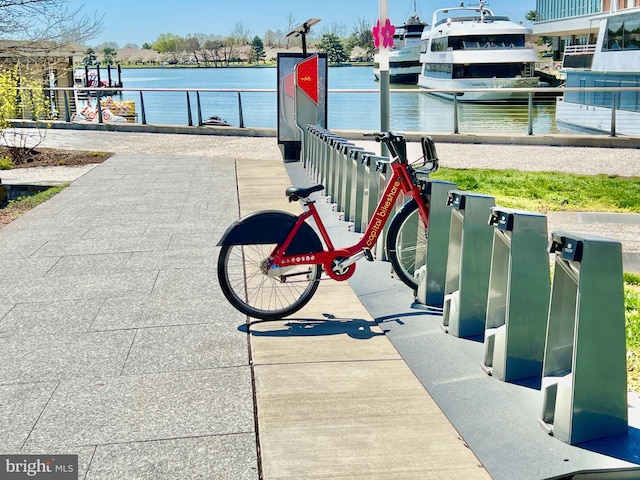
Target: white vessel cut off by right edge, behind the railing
column 614, row 61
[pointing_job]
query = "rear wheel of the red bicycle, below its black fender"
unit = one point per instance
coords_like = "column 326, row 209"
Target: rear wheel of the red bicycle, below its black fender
column 246, row 284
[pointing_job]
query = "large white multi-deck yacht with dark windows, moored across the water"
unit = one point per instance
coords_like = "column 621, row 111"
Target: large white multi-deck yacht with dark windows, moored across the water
column 470, row 47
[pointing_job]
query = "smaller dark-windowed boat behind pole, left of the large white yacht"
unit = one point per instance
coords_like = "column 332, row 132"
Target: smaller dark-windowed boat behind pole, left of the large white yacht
column 404, row 57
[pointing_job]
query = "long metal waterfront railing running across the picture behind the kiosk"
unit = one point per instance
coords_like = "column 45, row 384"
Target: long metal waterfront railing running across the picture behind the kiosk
column 134, row 106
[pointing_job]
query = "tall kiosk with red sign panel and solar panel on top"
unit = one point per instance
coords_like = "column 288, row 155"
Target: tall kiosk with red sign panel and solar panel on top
column 302, row 94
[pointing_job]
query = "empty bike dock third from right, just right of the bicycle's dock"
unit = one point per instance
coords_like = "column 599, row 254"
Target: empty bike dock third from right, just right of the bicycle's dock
column 468, row 264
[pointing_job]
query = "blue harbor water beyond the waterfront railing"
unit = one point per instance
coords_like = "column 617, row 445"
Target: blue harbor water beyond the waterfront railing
column 415, row 110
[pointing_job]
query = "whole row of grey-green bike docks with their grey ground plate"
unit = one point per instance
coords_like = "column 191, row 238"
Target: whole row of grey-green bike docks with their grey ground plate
column 488, row 283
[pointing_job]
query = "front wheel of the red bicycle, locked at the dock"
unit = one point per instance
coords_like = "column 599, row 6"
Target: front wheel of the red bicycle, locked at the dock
column 406, row 244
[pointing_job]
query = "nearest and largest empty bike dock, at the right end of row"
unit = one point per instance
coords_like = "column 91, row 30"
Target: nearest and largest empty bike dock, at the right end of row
column 584, row 371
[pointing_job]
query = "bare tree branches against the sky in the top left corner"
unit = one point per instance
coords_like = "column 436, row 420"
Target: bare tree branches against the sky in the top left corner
column 37, row 21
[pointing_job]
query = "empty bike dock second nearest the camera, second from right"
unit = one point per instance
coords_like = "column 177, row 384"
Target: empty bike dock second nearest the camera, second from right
column 518, row 300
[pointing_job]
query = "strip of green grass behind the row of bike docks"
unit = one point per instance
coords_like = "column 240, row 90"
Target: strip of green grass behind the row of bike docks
column 549, row 191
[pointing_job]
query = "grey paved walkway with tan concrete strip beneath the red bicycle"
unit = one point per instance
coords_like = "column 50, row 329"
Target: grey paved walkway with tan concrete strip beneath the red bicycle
column 117, row 345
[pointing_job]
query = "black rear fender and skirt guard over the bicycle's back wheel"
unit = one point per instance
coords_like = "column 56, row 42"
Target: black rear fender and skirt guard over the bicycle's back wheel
column 272, row 226
